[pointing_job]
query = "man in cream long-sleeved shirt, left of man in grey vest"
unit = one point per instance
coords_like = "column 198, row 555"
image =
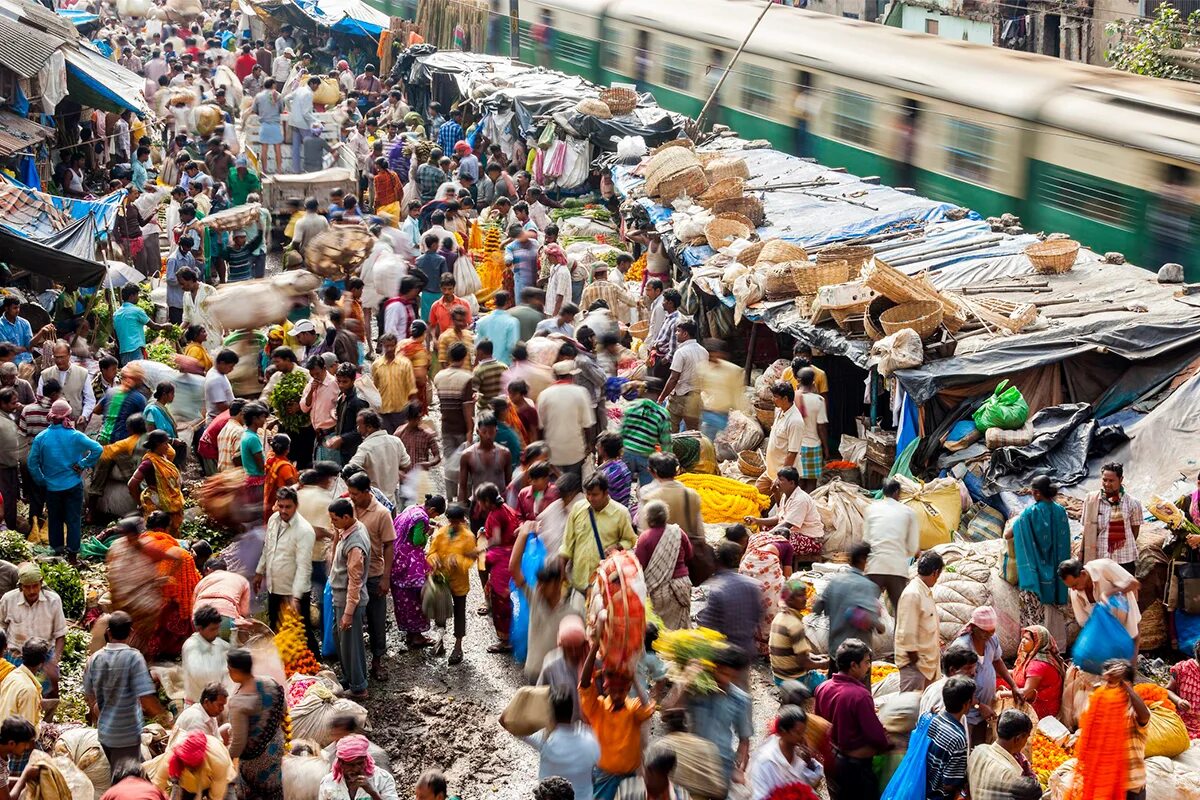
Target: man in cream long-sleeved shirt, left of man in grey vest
column 285, row 568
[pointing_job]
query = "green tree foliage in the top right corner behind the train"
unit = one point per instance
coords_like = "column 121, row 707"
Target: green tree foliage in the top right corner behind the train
column 1142, row 46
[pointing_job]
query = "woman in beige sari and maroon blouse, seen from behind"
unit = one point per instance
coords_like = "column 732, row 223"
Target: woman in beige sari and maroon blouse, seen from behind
column 664, row 551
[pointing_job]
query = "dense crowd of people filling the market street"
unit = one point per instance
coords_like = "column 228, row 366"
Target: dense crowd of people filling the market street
column 403, row 436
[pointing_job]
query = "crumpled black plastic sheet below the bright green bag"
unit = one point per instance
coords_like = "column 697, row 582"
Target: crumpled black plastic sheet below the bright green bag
column 1065, row 437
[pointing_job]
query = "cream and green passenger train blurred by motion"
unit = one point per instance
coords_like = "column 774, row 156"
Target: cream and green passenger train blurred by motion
column 1107, row 157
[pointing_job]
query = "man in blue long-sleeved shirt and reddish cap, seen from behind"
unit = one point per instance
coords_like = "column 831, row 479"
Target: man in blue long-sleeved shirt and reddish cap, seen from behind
column 58, row 456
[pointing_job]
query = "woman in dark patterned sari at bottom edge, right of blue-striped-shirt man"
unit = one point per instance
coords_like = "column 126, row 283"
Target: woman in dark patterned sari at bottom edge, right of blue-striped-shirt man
column 257, row 712
